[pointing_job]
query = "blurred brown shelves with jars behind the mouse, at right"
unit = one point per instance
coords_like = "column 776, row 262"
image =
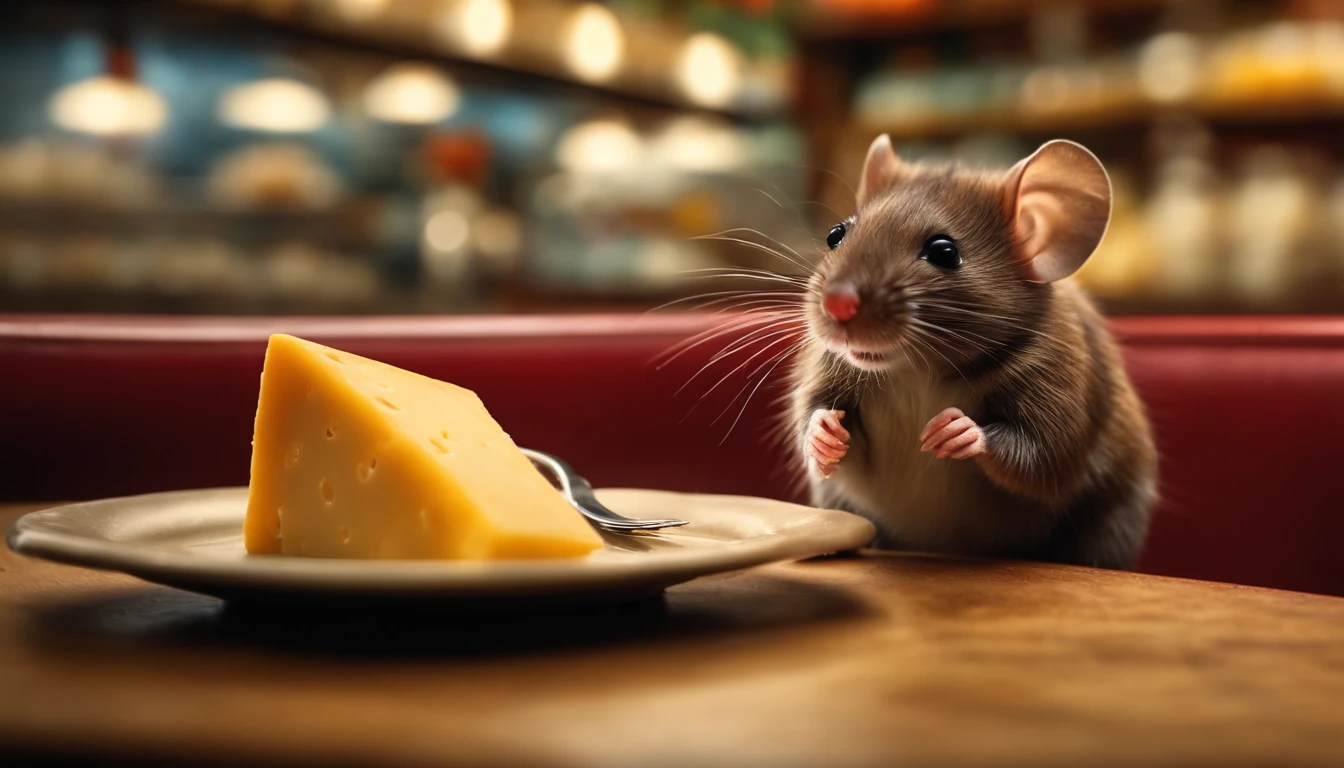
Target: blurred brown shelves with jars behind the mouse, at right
column 1220, row 123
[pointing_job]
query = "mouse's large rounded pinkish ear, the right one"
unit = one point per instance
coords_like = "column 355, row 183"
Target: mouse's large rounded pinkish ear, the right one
column 1060, row 200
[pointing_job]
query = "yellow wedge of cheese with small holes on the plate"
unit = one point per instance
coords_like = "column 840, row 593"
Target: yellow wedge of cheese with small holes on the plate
column 358, row 459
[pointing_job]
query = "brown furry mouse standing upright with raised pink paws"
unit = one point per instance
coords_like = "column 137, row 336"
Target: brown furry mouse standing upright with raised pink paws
column 955, row 387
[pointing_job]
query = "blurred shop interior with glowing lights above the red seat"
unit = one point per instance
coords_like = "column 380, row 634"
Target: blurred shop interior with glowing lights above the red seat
column 412, row 157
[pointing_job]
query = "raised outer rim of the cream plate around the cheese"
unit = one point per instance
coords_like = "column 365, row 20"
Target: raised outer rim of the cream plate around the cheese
column 837, row 531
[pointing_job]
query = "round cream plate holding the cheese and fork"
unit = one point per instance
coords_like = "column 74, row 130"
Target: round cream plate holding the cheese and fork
column 193, row 540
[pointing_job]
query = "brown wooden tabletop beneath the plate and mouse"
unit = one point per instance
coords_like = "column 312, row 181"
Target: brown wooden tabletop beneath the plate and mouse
column 874, row 661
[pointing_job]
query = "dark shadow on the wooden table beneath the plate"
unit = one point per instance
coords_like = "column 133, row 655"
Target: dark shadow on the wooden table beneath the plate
column 163, row 618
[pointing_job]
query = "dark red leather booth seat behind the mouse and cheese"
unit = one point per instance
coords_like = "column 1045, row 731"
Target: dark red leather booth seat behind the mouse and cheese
column 1248, row 415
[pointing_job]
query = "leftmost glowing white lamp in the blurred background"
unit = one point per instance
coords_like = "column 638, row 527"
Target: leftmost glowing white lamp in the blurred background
column 108, row 107
